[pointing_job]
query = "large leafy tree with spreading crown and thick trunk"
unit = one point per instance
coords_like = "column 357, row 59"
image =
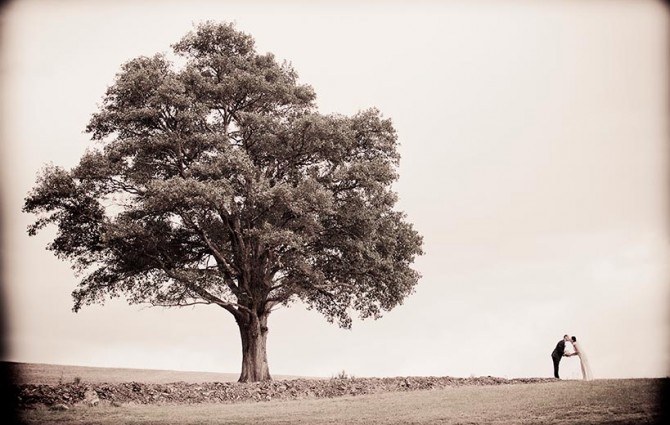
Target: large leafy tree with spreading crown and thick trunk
column 218, row 182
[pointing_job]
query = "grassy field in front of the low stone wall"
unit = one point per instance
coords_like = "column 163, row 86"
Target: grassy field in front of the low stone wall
column 631, row 401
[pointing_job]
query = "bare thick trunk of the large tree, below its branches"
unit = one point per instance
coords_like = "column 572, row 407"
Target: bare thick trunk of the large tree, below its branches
column 254, row 334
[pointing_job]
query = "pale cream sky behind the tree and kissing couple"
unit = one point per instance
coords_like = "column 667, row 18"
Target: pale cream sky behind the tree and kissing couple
column 534, row 162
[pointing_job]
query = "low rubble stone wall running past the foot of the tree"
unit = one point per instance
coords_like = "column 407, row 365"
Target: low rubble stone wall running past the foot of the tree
column 63, row 395
